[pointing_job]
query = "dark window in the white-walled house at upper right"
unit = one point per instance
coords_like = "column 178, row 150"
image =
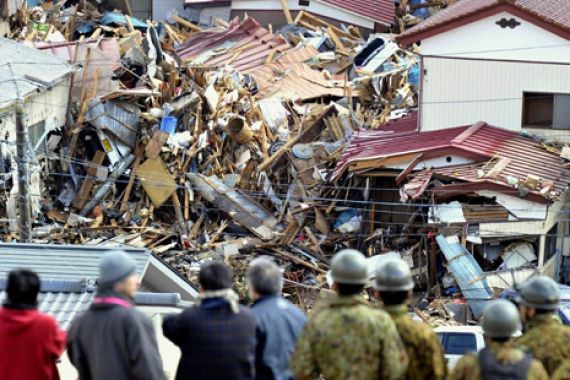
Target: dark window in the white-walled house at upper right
column 546, row 110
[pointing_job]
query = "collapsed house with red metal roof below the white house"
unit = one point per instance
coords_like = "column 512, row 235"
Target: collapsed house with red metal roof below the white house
column 502, row 194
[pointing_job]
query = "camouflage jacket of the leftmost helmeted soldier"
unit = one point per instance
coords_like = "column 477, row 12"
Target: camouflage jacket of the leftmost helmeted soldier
column 347, row 339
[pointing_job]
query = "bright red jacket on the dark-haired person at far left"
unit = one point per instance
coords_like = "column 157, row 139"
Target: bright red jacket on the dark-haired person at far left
column 30, row 344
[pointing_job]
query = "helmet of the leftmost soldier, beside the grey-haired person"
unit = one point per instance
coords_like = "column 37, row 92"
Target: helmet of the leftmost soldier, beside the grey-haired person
column 349, row 267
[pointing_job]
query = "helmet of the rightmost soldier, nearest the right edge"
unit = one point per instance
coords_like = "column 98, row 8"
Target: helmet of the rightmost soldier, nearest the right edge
column 540, row 292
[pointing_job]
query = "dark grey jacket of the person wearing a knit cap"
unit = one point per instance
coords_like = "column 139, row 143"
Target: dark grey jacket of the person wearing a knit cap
column 111, row 341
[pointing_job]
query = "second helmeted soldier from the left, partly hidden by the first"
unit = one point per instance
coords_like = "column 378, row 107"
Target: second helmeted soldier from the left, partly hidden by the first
column 394, row 286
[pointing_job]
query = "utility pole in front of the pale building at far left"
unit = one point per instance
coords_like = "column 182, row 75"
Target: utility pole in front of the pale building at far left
column 24, row 219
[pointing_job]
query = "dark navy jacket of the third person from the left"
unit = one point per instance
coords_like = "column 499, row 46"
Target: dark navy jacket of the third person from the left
column 215, row 343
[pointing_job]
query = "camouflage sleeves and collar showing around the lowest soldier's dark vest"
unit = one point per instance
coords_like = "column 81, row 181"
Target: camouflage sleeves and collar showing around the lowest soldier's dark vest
column 468, row 367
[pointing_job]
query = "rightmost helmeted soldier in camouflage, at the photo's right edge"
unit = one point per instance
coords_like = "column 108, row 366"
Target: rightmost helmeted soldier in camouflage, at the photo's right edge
column 544, row 336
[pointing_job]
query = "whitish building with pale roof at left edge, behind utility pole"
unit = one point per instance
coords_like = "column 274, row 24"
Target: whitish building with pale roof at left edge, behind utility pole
column 43, row 82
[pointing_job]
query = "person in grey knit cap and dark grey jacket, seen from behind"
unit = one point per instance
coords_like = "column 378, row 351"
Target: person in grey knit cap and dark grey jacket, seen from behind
column 112, row 340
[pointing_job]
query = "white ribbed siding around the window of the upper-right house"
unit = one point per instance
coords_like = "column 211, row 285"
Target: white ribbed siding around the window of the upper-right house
column 463, row 91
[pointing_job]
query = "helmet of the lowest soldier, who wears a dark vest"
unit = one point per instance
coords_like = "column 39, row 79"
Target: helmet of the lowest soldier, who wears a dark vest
column 501, row 319
